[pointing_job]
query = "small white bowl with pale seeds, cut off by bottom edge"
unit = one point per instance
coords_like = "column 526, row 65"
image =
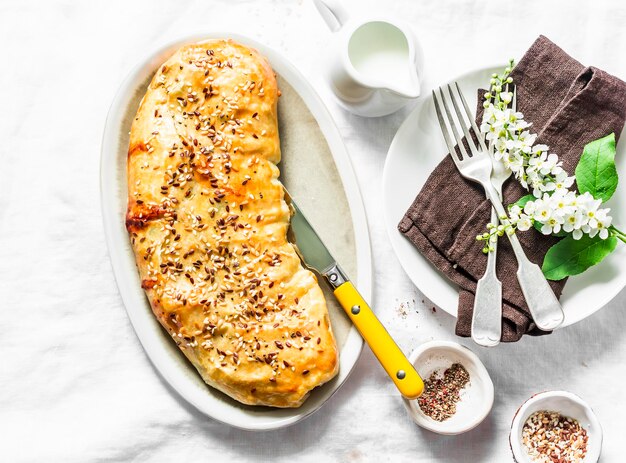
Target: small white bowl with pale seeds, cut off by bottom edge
column 555, row 426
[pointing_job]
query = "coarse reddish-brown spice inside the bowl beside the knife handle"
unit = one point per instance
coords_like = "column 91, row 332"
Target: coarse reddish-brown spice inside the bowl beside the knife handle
column 443, row 392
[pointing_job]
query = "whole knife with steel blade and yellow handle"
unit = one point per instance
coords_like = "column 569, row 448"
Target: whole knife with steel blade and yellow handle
column 316, row 256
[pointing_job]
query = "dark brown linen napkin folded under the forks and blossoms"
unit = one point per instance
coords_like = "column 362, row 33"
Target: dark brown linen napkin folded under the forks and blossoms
column 569, row 105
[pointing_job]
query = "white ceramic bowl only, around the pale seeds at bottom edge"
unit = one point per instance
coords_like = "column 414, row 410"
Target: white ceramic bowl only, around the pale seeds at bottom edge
column 565, row 403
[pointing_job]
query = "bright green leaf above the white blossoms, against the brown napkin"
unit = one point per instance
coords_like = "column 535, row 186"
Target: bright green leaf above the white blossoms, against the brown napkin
column 596, row 172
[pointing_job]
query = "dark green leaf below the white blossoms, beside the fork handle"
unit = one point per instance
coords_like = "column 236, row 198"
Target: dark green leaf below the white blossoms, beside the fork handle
column 571, row 257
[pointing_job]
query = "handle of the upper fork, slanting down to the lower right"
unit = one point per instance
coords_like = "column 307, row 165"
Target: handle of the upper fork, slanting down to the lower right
column 542, row 303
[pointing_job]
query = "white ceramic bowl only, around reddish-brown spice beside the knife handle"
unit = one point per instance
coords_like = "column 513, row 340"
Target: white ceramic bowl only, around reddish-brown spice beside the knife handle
column 476, row 398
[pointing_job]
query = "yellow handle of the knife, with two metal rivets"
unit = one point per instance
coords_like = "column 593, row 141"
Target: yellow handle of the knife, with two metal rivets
column 395, row 363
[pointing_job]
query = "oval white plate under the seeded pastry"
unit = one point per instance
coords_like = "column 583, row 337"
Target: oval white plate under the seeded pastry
column 163, row 353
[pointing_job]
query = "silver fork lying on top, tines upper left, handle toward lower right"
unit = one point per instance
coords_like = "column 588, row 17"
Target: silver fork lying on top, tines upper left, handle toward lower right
column 477, row 167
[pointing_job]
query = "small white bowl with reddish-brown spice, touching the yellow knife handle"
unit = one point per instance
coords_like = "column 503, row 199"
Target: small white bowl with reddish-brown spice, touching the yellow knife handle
column 458, row 391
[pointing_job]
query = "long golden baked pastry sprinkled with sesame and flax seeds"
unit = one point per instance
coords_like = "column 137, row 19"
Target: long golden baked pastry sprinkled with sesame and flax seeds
column 208, row 223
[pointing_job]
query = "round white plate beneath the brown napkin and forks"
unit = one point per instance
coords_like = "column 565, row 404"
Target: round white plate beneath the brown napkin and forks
column 416, row 150
